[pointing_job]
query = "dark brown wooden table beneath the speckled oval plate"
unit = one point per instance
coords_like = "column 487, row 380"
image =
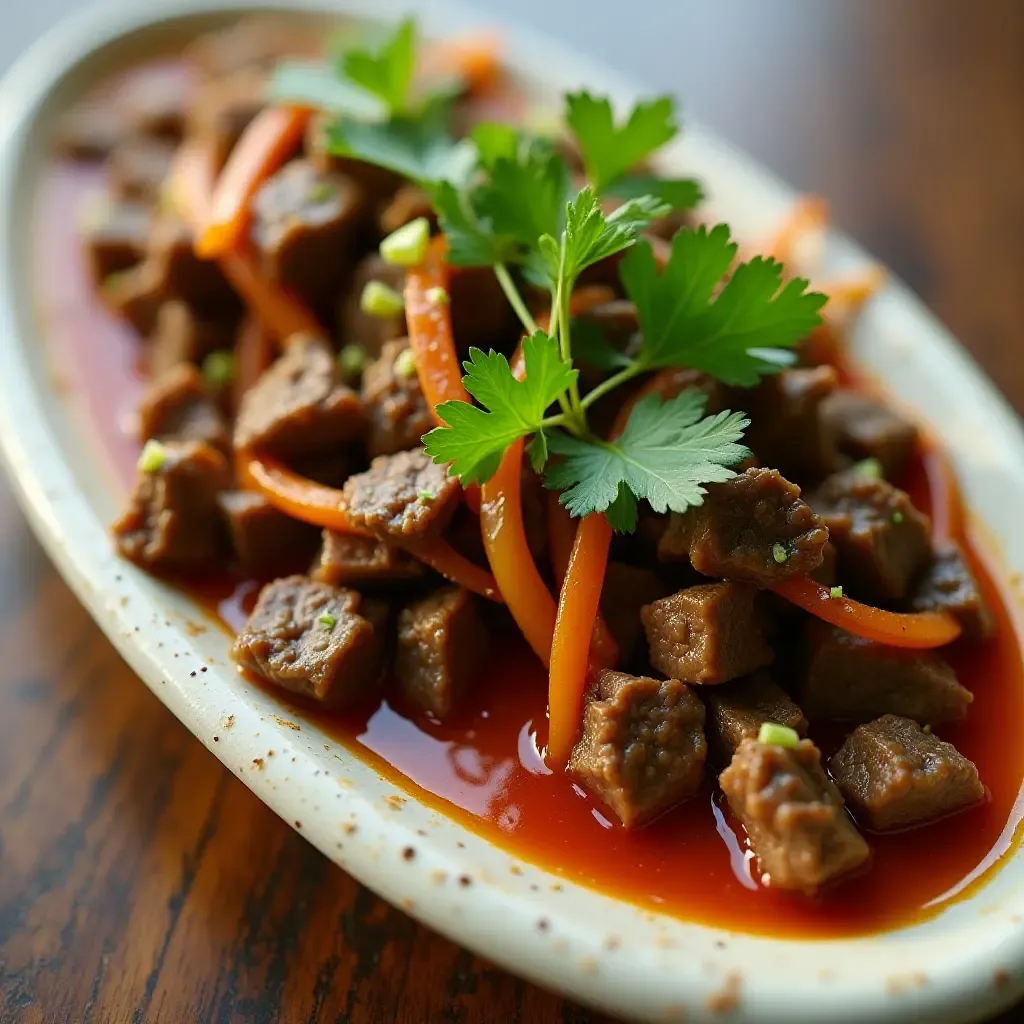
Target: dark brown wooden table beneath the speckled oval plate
column 140, row 881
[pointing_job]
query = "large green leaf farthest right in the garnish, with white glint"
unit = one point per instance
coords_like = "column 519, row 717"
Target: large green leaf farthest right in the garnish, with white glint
column 739, row 336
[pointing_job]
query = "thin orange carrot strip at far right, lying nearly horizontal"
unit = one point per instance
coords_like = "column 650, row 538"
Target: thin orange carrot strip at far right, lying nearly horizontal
column 919, row 630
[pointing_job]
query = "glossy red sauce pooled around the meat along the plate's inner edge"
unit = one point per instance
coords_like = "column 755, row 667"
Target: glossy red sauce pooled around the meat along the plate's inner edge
column 484, row 770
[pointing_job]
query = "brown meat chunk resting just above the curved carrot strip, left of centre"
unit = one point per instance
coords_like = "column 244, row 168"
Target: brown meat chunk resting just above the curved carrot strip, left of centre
column 300, row 406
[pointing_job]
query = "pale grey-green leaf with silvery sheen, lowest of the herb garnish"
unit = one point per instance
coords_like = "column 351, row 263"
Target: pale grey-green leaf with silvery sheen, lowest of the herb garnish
column 665, row 455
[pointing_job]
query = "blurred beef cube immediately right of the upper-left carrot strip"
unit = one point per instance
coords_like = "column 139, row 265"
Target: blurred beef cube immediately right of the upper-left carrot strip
column 305, row 228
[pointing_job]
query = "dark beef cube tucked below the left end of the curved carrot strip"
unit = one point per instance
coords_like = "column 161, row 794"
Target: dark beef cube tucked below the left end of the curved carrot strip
column 263, row 538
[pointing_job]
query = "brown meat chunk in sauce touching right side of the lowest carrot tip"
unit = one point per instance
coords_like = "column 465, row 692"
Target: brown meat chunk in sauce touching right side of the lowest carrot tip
column 643, row 749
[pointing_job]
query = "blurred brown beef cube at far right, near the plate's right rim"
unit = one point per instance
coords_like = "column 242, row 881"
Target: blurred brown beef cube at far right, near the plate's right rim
column 867, row 429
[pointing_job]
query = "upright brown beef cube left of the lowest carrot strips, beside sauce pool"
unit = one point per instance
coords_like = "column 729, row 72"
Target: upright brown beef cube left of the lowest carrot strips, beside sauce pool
column 443, row 645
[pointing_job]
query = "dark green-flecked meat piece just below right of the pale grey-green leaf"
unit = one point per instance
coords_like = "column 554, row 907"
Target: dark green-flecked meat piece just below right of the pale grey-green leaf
column 754, row 528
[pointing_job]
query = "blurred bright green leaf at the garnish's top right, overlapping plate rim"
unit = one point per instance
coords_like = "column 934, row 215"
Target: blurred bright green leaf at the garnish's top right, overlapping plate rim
column 610, row 152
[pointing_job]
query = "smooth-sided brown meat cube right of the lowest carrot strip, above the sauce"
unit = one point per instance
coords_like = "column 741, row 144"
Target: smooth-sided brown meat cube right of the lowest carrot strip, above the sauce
column 708, row 634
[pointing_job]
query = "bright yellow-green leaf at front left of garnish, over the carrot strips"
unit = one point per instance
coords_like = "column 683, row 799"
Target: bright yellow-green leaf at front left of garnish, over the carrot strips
column 474, row 440
